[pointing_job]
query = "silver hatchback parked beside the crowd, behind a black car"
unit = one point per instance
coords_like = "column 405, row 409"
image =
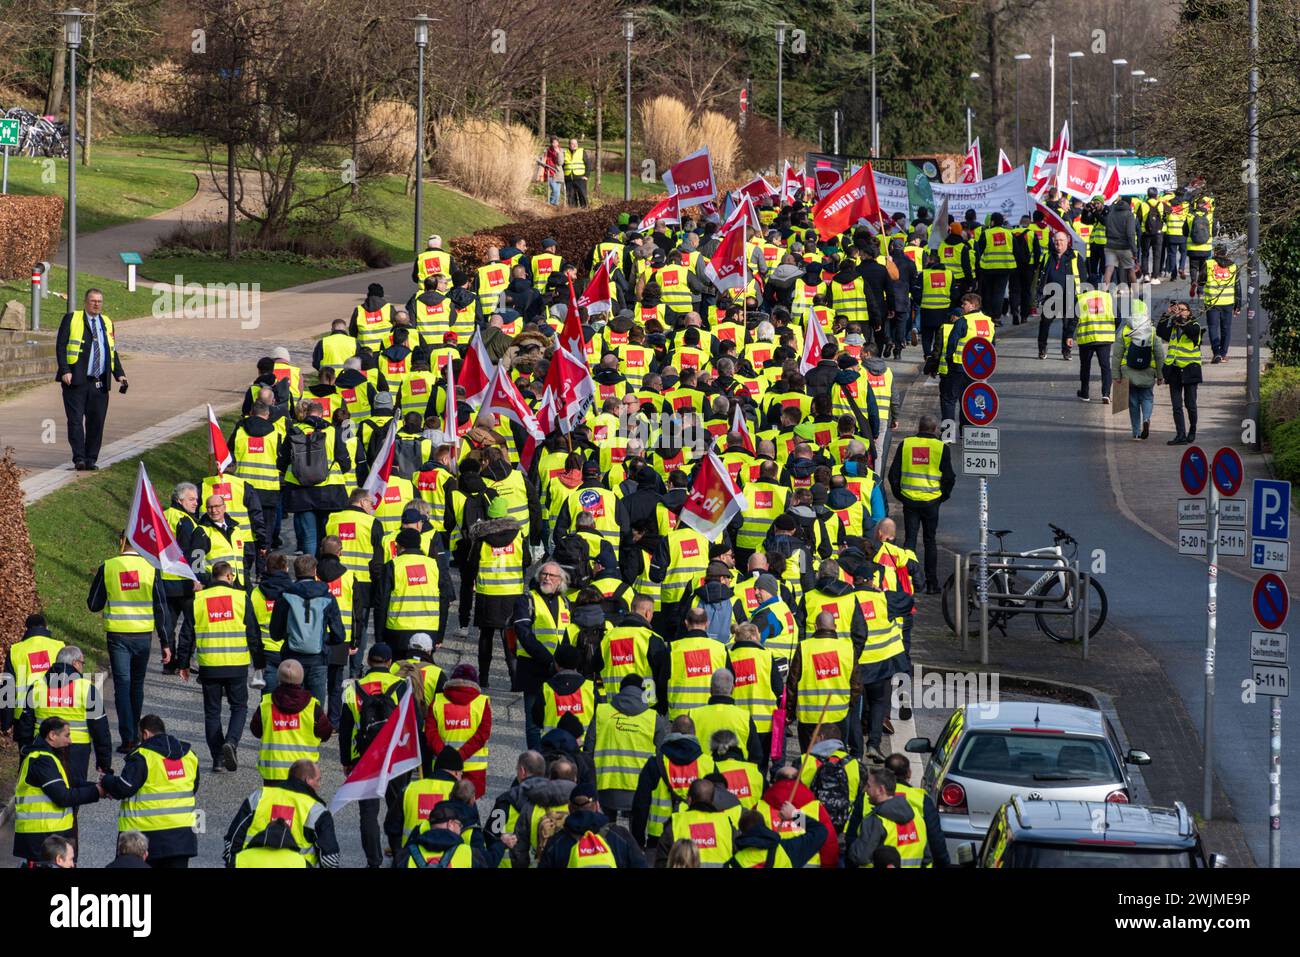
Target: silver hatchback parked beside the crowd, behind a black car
column 1039, row 751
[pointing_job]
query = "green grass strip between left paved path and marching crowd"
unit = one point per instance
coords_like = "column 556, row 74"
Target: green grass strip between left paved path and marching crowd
column 76, row 529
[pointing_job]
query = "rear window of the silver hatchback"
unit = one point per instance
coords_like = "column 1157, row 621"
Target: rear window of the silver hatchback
column 1009, row 757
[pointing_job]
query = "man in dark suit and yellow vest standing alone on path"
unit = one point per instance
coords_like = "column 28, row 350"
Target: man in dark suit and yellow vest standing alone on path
column 88, row 360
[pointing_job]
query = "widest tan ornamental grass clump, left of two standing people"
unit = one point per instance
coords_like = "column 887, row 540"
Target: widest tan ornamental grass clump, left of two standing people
column 488, row 159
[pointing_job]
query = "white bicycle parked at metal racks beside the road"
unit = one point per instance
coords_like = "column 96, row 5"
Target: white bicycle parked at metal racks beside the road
column 1050, row 584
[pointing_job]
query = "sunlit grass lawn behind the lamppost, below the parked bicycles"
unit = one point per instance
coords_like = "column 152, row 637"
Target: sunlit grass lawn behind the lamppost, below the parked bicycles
column 123, row 183
